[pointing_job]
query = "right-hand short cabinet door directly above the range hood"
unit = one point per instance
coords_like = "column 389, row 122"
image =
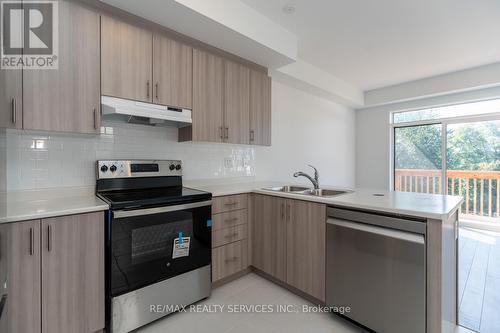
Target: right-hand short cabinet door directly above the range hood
column 172, row 73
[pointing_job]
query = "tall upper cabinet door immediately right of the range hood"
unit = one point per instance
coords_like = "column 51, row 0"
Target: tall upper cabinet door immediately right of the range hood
column 208, row 85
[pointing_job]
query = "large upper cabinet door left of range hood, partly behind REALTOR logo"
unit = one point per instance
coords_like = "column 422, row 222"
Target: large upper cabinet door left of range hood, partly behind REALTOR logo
column 67, row 99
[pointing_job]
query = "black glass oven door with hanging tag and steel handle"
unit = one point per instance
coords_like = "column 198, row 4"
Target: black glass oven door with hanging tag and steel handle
column 155, row 244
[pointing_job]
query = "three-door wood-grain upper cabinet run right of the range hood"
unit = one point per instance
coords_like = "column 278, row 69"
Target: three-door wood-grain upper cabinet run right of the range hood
column 231, row 102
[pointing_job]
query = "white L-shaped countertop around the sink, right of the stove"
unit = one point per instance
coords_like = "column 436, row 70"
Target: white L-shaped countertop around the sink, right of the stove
column 432, row 206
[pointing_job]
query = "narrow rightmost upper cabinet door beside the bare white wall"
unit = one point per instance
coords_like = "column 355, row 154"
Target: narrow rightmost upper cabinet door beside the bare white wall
column 260, row 108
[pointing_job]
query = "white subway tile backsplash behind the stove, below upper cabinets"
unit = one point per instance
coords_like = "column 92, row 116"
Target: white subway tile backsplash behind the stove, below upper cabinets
column 37, row 160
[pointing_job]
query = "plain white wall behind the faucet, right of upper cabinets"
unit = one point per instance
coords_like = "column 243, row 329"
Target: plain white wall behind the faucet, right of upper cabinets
column 308, row 130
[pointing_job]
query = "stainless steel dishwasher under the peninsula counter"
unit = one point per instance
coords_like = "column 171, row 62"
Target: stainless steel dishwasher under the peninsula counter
column 376, row 266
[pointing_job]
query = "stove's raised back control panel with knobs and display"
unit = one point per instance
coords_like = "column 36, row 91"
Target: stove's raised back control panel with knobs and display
column 138, row 168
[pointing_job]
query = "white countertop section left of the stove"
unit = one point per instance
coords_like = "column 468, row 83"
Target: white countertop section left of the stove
column 38, row 204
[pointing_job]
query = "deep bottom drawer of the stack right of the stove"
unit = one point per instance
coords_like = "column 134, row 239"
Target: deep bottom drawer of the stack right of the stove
column 229, row 259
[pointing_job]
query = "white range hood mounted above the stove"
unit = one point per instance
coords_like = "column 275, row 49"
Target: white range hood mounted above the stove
column 119, row 109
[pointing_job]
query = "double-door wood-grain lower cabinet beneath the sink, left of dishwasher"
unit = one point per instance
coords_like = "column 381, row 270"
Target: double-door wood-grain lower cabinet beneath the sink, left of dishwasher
column 289, row 242
